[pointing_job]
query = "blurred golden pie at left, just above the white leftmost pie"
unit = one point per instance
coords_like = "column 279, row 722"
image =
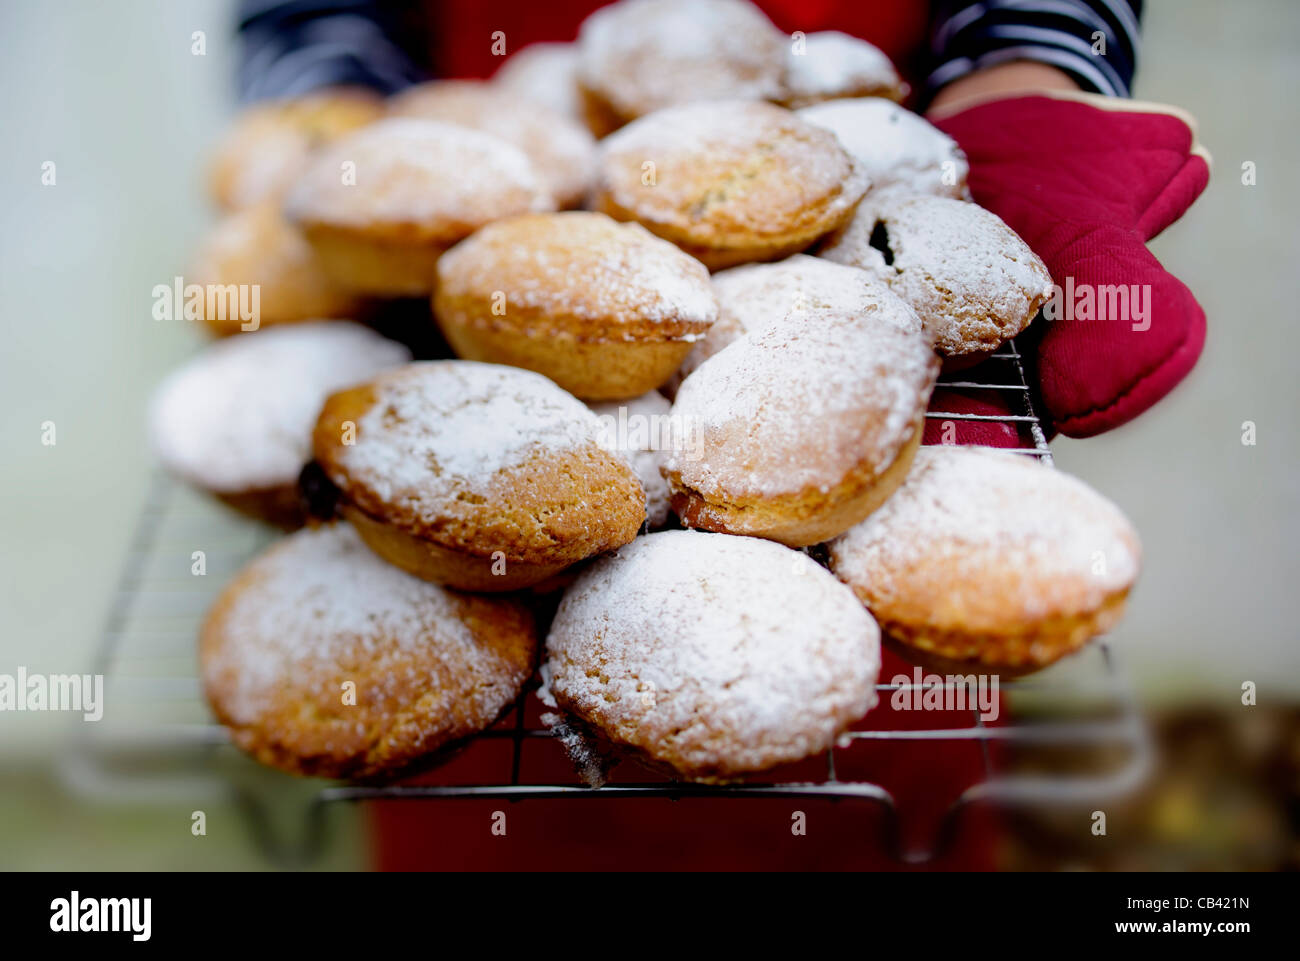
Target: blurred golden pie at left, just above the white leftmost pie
column 258, row 246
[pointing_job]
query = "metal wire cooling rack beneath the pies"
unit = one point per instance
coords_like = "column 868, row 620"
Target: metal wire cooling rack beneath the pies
column 159, row 743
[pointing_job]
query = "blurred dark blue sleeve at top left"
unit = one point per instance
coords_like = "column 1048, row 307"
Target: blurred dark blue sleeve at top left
column 293, row 47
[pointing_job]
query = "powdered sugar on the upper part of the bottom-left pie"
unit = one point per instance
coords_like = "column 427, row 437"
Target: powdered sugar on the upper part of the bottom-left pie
column 320, row 600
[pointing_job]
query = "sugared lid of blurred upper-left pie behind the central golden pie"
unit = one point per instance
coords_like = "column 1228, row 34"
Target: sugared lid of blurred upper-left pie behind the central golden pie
column 418, row 179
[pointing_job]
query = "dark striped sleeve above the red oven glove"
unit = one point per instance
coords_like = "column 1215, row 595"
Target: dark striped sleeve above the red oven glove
column 1093, row 41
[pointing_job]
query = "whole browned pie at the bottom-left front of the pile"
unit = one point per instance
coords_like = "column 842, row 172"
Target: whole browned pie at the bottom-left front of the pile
column 278, row 679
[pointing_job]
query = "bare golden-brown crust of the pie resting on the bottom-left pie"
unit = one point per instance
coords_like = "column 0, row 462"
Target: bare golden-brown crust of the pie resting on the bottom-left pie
column 553, row 509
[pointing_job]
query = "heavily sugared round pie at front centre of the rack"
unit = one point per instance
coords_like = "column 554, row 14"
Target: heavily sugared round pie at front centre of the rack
column 714, row 655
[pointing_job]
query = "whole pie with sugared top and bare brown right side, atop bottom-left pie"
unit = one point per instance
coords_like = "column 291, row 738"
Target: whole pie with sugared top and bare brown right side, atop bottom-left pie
column 478, row 477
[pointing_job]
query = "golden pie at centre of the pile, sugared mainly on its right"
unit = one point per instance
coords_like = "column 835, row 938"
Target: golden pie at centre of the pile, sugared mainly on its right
column 605, row 310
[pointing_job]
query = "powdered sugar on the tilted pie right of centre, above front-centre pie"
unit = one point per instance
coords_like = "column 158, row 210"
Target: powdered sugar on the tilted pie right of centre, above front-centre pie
column 803, row 402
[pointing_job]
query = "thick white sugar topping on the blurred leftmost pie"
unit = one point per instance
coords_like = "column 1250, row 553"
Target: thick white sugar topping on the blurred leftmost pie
column 240, row 415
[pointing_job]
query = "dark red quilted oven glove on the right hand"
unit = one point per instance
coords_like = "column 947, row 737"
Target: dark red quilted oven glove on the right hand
column 1086, row 181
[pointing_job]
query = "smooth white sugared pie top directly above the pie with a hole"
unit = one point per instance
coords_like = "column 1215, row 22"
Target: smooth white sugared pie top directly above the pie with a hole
column 896, row 148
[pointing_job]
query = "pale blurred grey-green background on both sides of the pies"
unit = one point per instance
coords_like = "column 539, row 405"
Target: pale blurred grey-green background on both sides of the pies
column 112, row 94
